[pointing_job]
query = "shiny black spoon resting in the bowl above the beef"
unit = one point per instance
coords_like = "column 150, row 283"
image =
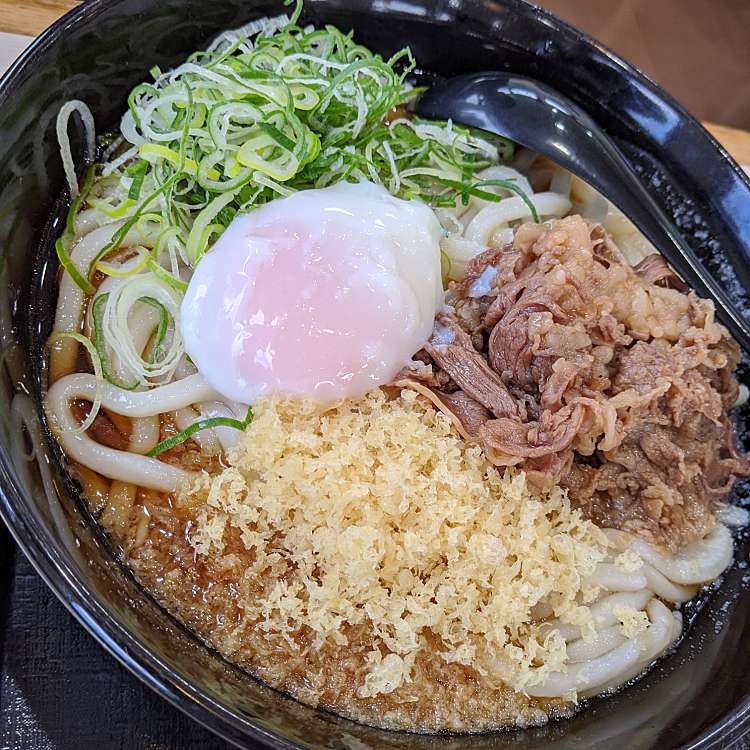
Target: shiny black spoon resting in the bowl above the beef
column 540, row 118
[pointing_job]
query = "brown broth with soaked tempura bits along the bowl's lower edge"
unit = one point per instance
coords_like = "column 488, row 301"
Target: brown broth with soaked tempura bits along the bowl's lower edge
column 204, row 594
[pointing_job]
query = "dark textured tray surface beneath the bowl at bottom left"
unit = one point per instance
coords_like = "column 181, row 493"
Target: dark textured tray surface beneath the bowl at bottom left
column 60, row 690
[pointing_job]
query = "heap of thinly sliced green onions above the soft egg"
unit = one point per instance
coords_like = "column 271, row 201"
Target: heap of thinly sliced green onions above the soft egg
column 259, row 117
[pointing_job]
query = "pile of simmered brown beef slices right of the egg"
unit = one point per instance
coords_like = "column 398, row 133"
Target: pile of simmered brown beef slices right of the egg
column 584, row 371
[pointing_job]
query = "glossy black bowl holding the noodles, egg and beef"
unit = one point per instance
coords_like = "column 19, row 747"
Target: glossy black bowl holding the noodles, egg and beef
column 697, row 697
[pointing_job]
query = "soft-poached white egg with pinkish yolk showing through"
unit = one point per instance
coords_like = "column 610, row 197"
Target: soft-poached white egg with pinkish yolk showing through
column 324, row 294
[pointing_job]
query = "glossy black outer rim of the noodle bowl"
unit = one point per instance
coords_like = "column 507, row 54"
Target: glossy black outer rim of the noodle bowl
column 44, row 552
